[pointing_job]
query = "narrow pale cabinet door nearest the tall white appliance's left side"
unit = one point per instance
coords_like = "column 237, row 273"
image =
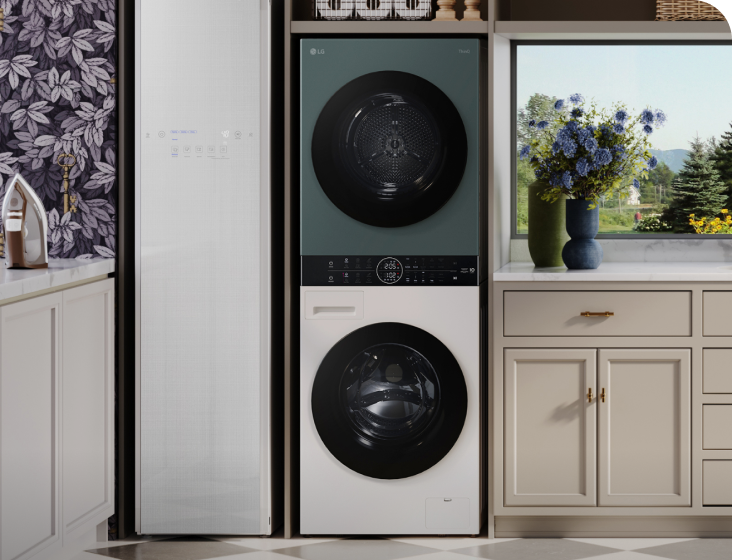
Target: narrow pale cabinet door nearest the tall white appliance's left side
column 87, row 406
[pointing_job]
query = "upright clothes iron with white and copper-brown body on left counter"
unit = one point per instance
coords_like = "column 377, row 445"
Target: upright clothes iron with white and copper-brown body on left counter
column 26, row 227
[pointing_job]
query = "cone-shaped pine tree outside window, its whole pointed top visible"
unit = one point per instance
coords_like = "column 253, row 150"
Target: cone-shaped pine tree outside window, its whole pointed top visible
column 697, row 190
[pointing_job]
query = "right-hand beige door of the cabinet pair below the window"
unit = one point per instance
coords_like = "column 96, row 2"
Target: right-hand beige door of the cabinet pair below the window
column 644, row 428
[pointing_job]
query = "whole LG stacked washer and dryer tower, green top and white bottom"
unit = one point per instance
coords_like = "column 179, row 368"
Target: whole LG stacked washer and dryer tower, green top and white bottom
column 390, row 364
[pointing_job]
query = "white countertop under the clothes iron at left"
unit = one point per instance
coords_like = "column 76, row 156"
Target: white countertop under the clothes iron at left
column 23, row 282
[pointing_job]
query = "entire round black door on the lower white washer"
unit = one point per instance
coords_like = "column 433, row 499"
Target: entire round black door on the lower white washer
column 389, row 401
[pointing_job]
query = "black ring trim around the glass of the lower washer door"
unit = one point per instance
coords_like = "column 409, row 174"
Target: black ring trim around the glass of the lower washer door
column 385, row 457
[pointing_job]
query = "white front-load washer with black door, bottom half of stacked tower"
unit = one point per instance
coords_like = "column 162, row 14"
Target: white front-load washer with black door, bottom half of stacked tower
column 390, row 410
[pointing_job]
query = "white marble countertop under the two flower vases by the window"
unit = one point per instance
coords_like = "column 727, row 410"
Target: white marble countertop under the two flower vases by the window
column 619, row 272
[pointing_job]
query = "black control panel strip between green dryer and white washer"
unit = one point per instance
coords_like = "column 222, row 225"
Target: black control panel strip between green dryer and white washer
column 389, row 271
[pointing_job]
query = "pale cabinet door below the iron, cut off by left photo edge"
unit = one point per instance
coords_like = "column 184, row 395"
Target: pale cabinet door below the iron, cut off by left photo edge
column 29, row 426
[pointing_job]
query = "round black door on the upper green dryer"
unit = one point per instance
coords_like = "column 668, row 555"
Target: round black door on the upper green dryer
column 389, row 149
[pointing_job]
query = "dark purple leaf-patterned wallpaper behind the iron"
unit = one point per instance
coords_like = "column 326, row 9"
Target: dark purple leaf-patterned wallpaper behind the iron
column 57, row 58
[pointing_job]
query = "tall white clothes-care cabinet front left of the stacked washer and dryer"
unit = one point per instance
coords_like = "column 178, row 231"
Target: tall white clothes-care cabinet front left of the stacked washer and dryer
column 201, row 212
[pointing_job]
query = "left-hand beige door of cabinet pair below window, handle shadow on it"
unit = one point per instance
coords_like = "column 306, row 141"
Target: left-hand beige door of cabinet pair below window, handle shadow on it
column 550, row 427
